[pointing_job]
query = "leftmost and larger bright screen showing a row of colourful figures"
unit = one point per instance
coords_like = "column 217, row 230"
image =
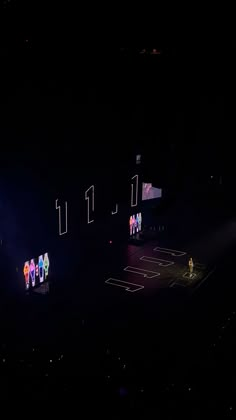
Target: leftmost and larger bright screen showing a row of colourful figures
column 36, row 271
